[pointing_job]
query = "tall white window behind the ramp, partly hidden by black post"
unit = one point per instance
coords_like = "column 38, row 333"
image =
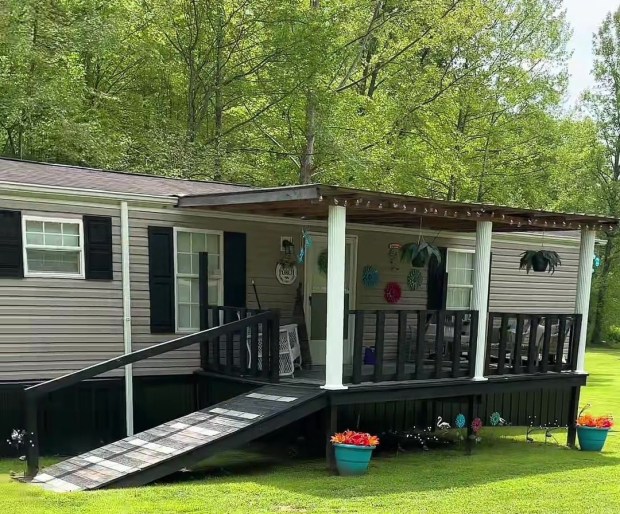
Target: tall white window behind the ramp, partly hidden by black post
column 188, row 245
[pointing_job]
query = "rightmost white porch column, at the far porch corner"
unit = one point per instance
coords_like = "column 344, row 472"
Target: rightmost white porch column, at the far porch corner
column 584, row 284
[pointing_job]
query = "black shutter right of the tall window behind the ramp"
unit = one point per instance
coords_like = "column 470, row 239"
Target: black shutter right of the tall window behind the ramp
column 234, row 269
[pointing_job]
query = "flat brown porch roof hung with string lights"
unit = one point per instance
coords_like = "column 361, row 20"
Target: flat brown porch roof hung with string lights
column 311, row 202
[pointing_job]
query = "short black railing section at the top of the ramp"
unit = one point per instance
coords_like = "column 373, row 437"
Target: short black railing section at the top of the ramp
column 242, row 352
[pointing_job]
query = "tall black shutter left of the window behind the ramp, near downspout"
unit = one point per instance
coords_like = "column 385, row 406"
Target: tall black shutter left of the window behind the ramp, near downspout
column 161, row 279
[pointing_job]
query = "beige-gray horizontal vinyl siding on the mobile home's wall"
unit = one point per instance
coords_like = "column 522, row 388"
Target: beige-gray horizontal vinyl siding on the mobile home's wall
column 49, row 327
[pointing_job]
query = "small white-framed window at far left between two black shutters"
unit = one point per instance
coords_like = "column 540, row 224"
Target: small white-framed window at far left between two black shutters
column 53, row 247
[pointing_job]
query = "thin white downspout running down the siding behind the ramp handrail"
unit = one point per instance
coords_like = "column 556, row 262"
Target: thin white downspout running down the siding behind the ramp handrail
column 127, row 315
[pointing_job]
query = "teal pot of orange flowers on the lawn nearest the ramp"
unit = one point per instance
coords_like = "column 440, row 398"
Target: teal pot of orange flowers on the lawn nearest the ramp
column 353, row 451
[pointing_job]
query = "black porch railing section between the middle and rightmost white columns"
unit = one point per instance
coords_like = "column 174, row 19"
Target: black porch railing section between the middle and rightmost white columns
column 531, row 343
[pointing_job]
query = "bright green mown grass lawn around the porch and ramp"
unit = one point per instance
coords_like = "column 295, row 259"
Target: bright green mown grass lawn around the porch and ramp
column 505, row 475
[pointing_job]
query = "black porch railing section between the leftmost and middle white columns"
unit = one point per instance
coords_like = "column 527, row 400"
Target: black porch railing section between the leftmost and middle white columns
column 391, row 345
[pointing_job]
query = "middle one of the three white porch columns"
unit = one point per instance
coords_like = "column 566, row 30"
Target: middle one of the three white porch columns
column 480, row 293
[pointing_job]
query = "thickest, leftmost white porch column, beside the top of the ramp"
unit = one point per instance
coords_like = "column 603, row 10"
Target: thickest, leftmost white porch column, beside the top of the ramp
column 334, row 344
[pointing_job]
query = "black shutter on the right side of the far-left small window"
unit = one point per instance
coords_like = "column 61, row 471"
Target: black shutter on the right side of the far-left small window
column 98, row 247
